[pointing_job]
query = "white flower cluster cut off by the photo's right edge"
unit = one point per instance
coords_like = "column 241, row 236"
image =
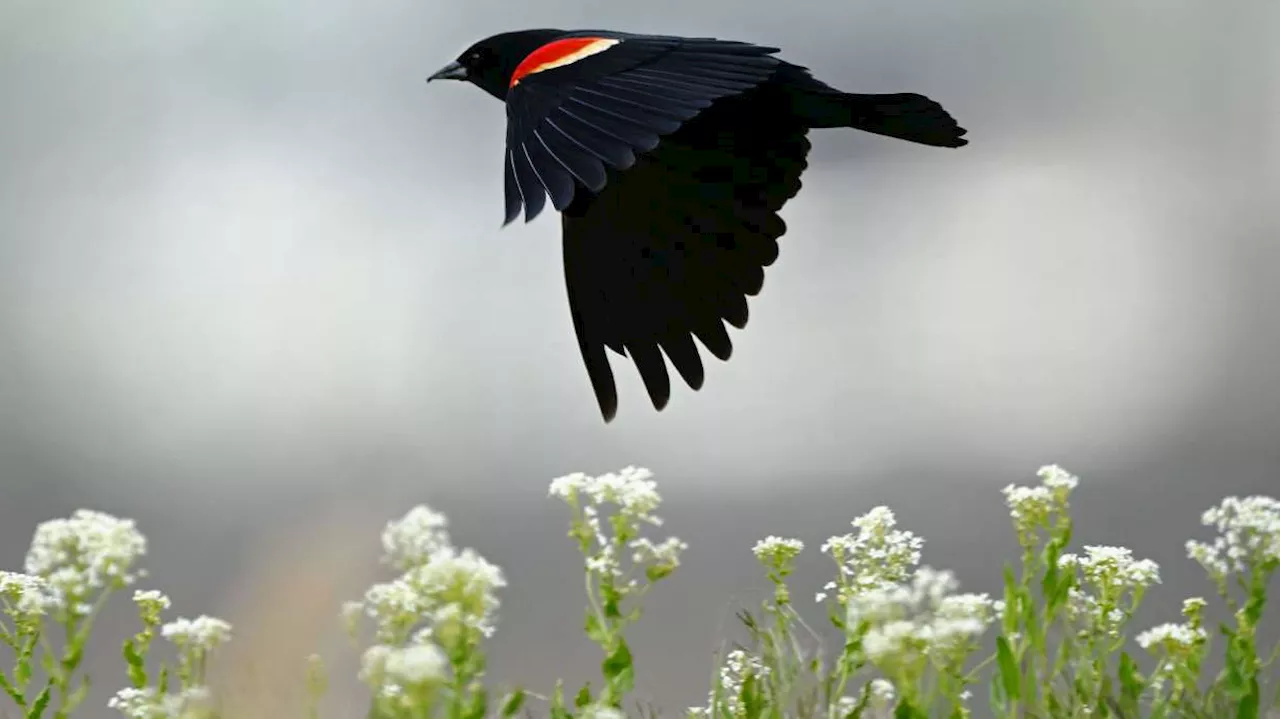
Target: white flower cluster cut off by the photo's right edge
column 1249, row 538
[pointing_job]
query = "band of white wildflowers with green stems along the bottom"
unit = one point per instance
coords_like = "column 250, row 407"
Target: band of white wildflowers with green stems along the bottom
column 1055, row 642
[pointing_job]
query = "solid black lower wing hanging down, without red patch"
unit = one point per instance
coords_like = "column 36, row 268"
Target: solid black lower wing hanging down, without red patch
column 673, row 249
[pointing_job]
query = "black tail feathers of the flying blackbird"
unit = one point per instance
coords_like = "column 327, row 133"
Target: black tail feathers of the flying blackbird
column 904, row 116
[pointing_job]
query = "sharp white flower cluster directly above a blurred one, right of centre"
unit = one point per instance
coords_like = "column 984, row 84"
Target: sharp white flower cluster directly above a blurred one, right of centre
column 877, row 556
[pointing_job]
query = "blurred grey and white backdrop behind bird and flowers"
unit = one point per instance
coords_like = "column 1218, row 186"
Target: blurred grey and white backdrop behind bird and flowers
column 254, row 295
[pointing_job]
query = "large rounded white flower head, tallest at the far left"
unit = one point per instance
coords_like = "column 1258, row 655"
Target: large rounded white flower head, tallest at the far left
column 84, row 555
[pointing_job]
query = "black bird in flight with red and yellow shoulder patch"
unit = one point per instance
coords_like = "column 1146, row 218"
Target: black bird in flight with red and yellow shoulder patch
column 669, row 159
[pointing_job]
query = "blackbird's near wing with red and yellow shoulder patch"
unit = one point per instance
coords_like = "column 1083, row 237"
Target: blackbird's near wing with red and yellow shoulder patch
column 583, row 107
